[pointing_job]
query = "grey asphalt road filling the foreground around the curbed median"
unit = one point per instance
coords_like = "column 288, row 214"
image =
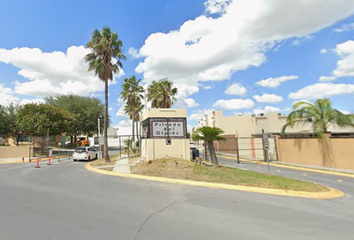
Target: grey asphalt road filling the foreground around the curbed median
column 65, row 201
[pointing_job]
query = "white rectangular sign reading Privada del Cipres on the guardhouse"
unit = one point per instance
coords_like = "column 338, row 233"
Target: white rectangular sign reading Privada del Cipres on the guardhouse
column 174, row 129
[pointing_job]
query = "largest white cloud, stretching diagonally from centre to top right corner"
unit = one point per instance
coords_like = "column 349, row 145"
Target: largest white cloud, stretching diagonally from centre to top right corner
column 208, row 48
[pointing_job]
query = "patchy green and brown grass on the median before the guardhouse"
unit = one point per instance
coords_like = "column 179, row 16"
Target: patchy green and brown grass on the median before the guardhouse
column 191, row 171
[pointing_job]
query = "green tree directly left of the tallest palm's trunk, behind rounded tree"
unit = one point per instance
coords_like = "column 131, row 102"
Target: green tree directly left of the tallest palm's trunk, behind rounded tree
column 86, row 111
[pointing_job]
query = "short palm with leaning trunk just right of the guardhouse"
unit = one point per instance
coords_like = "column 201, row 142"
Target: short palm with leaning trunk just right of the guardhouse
column 209, row 135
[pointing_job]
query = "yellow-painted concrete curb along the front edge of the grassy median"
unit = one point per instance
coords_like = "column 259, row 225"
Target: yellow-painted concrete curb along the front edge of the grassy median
column 331, row 194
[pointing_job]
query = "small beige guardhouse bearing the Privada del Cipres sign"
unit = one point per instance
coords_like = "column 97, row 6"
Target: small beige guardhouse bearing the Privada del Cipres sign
column 164, row 134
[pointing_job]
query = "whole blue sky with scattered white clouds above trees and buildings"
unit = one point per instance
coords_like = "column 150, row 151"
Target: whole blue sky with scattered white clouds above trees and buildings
column 241, row 56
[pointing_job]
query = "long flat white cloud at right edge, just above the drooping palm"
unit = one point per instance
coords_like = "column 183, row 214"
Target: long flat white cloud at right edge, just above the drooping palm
column 321, row 90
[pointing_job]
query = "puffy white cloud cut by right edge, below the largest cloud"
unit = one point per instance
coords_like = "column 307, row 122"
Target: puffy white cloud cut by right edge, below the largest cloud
column 345, row 64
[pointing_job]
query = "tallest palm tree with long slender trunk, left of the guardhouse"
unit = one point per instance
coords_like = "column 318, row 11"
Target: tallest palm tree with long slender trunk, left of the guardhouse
column 105, row 59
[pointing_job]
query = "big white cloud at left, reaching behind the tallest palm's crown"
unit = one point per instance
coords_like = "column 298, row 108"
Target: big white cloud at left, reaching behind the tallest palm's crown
column 52, row 73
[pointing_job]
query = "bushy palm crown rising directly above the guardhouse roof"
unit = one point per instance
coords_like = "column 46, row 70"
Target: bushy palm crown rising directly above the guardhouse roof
column 162, row 93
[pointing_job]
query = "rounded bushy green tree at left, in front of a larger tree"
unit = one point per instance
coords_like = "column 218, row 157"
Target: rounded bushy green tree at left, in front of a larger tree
column 35, row 119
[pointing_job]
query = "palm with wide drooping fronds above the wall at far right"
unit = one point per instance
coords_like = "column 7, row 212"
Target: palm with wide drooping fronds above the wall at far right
column 321, row 114
